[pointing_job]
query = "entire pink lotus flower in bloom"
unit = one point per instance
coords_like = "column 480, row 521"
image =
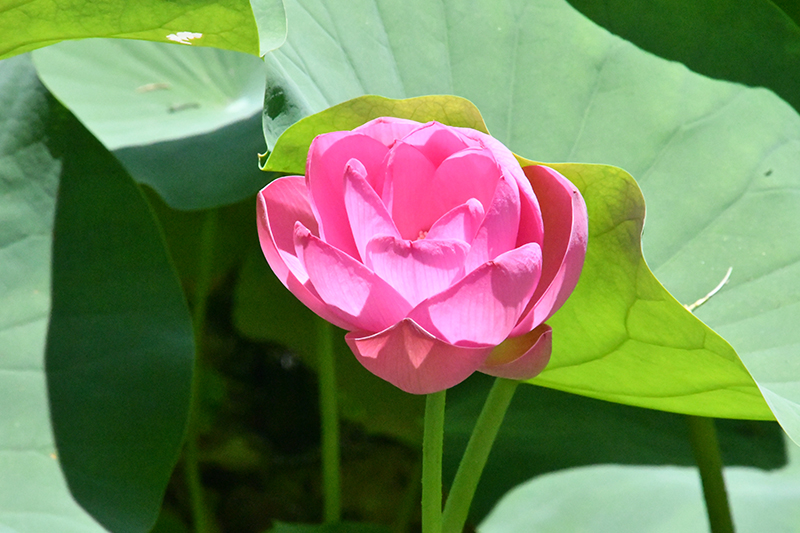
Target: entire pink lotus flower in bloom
column 431, row 245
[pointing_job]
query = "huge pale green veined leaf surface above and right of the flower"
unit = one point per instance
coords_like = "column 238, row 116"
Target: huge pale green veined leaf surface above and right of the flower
column 717, row 162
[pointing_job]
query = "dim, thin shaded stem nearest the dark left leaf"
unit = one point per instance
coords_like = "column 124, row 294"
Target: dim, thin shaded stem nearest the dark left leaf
column 201, row 517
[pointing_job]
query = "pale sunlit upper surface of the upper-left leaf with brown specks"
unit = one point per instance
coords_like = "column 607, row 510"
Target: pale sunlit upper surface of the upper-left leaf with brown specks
column 131, row 93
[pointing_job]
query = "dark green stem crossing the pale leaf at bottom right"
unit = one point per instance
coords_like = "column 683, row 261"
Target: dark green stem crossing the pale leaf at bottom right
column 705, row 446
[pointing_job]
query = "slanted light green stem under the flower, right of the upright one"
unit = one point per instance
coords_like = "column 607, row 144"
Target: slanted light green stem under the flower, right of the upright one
column 480, row 444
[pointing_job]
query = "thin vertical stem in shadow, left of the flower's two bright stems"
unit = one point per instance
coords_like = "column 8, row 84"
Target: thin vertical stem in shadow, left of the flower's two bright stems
column 329, row 412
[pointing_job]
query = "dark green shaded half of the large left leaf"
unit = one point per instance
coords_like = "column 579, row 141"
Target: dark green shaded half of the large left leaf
column 120, row 343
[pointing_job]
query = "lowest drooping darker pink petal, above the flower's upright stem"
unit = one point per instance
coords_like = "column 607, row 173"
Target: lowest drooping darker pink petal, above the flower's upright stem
column 413, row 360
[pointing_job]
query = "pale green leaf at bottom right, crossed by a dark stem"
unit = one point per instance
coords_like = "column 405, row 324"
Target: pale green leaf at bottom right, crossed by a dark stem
column 637, row 499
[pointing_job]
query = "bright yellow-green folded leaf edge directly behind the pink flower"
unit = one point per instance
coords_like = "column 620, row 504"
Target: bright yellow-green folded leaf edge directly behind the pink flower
column 620, row 336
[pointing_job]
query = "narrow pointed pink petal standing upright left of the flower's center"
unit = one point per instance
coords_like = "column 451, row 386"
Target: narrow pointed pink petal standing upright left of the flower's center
column 365, row 210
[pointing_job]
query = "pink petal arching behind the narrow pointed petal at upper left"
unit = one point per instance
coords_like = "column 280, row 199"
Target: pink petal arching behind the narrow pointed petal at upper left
column 327, row 159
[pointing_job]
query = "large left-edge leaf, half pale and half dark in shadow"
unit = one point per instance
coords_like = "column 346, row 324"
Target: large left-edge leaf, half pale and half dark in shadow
column 118, row 335
